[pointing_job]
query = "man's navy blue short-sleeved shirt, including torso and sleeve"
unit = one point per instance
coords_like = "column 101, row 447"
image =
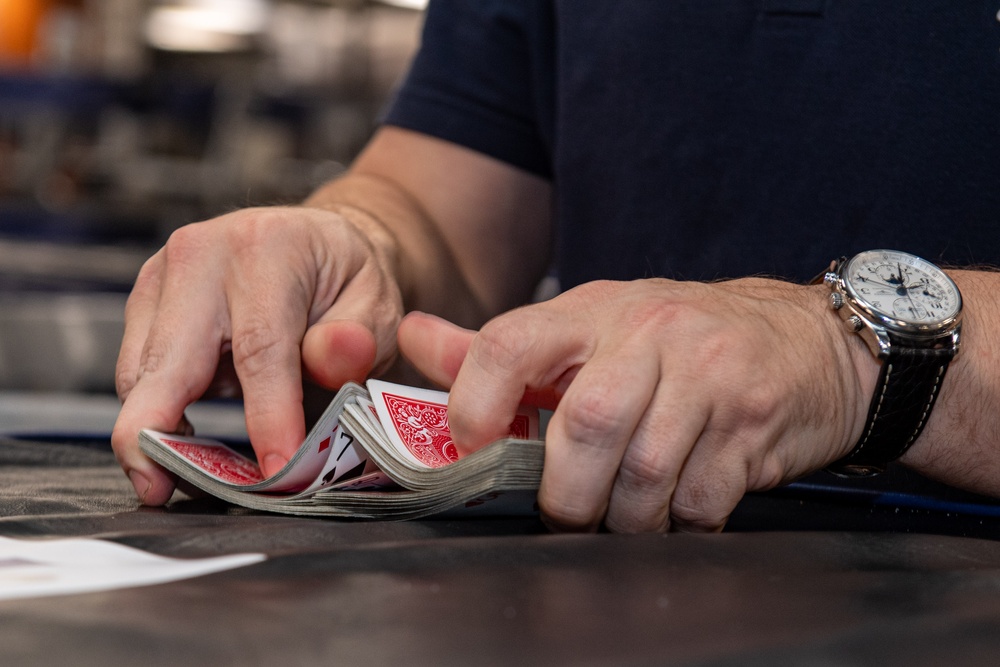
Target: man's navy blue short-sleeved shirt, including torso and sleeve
column 702, row 139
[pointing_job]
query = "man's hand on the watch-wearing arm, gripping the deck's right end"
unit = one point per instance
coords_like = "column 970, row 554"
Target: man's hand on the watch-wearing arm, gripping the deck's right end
column 672, row 399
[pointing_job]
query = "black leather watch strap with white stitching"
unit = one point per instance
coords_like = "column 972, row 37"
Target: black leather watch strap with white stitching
column 907, row 388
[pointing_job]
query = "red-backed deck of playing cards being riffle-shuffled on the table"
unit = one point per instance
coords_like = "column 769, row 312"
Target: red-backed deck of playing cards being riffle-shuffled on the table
column 381, row 452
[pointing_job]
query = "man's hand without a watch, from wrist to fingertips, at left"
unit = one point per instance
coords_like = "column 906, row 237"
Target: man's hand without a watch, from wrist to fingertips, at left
column 266, row 293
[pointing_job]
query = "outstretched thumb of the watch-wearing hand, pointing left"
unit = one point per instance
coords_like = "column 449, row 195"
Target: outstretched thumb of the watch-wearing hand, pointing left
column 434, row 346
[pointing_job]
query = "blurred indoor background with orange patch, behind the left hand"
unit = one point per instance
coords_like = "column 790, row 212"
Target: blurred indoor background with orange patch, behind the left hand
column 121, row 120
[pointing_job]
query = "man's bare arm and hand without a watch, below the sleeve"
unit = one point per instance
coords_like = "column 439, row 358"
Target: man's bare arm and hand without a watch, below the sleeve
column 243, row 303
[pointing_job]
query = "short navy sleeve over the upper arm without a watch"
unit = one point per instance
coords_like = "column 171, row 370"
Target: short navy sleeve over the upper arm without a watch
column 475, row 81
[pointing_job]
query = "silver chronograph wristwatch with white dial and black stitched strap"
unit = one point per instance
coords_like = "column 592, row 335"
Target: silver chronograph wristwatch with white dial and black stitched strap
column 909, row 312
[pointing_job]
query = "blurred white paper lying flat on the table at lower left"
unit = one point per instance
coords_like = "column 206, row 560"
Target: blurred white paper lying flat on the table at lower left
column 38, row 568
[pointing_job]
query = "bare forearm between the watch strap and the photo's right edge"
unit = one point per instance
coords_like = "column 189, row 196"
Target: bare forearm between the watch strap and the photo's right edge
column 961, row 442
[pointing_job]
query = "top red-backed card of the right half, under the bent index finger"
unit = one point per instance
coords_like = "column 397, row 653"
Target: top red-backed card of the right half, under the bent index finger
column 416, row 422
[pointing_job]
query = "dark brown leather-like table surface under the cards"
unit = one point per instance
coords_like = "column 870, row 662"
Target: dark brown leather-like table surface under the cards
column 802, row 577
